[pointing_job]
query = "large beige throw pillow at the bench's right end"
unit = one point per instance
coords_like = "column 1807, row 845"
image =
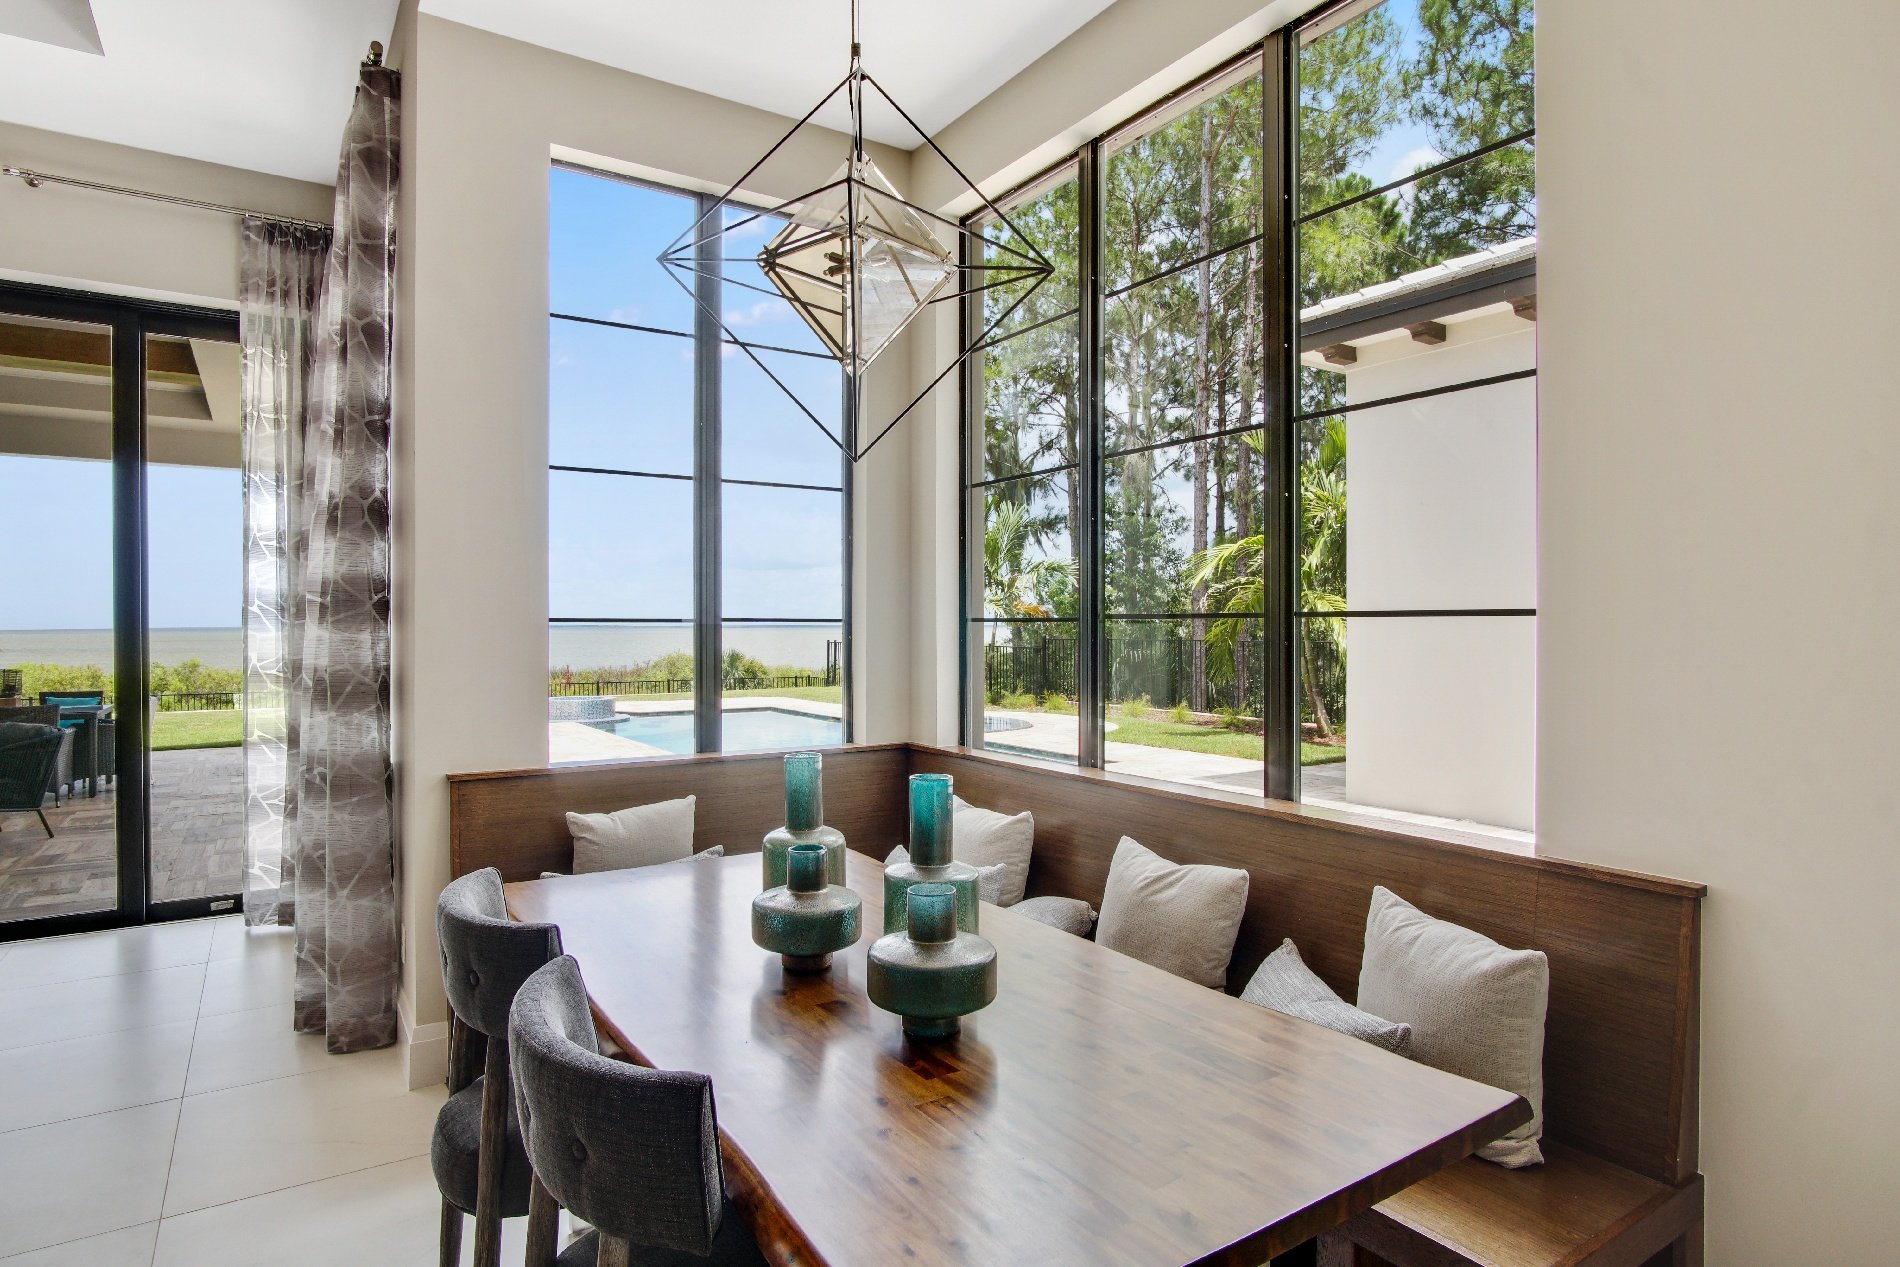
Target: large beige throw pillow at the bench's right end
column 1475, row 1008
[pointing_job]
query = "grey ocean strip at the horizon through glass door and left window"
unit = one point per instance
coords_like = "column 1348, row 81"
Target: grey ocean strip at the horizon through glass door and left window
column 575, row 647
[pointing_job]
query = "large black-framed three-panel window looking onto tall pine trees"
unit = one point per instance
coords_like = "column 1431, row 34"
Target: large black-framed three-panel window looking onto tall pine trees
column 1323, row 250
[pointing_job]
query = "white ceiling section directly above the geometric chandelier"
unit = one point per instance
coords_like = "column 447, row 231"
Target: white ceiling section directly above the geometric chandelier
column 938, row 58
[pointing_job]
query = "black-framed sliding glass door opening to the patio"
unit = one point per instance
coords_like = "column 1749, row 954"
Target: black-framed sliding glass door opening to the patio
column 121, row 597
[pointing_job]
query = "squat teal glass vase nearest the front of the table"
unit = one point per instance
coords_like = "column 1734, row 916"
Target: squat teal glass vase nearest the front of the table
column 932, row 975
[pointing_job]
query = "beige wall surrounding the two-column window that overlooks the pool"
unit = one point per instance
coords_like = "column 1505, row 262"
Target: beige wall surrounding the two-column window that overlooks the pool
column 482, row 117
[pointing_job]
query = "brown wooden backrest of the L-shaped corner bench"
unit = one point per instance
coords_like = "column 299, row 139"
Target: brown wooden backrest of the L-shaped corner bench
column 1622, row 1032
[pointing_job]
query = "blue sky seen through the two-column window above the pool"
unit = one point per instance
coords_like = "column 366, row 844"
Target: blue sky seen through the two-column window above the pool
column 622, row 400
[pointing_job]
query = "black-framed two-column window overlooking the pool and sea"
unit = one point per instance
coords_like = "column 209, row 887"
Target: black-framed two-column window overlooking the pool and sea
column 696, row 493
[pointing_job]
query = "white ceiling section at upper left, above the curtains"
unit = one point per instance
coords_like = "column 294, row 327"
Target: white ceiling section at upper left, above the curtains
column 259, row 85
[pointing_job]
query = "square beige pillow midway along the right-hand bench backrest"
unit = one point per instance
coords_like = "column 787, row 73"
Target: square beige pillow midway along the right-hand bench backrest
column 1179, row 918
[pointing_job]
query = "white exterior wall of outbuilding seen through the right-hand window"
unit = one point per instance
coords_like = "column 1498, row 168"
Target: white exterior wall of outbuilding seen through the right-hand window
column 1443, row 510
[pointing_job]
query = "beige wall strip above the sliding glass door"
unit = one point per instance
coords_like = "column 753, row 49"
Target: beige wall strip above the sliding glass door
column 130, row 246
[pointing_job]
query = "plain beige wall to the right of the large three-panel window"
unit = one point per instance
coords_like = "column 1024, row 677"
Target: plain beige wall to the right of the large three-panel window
column 1720, row 571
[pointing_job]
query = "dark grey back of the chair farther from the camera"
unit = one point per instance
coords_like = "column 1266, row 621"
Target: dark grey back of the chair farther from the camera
column 485, row 955
